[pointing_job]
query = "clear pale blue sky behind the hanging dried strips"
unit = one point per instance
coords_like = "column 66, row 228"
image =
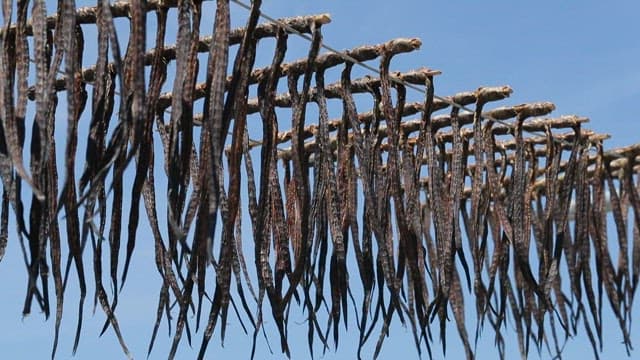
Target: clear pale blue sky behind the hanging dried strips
column 583, row 56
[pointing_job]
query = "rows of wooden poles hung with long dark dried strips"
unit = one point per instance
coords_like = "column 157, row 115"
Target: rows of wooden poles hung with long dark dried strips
column 501, row 203
